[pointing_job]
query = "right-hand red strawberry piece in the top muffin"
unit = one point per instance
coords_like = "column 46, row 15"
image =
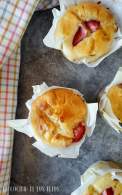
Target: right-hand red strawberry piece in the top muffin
column 92, row 25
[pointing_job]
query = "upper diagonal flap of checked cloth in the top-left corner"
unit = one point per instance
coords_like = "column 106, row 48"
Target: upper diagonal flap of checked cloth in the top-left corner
column 14, row 17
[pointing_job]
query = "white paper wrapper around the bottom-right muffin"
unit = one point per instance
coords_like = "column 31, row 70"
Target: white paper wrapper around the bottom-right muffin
column 95, row 172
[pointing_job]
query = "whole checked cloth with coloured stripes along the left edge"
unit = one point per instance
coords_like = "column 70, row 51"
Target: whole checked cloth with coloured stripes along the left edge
column 14, row 17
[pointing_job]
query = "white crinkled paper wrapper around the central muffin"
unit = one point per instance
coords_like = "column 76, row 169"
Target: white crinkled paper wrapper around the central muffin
column 24, row 126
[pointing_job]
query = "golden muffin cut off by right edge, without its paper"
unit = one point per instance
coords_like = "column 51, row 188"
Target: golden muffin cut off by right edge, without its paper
column 115, row 96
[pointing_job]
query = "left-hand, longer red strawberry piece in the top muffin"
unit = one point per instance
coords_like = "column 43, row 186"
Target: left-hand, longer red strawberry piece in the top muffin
column 80, row 35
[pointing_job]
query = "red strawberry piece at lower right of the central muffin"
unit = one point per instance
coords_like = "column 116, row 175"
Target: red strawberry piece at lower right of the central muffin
column 79, row 132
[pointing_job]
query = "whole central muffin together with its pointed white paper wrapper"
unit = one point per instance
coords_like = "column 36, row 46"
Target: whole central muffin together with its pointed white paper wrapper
column 59, row 120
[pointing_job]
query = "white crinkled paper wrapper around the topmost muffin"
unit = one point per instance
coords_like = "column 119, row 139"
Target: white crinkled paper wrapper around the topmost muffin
column 115, row 6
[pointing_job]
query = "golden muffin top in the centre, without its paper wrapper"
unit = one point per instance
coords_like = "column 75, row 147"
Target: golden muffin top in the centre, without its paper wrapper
column 58, row 117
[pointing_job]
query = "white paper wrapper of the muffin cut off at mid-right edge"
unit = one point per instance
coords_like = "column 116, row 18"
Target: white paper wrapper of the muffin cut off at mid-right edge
column 105, row 105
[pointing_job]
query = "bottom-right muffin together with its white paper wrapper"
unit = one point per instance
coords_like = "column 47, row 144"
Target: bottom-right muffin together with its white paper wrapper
column 102, row 178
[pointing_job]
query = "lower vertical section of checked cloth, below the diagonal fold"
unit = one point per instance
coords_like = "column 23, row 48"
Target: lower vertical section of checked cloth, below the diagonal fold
column 8, row 100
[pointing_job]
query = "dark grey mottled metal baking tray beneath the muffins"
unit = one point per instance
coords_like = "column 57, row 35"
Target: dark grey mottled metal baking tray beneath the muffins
column 38, row 172
